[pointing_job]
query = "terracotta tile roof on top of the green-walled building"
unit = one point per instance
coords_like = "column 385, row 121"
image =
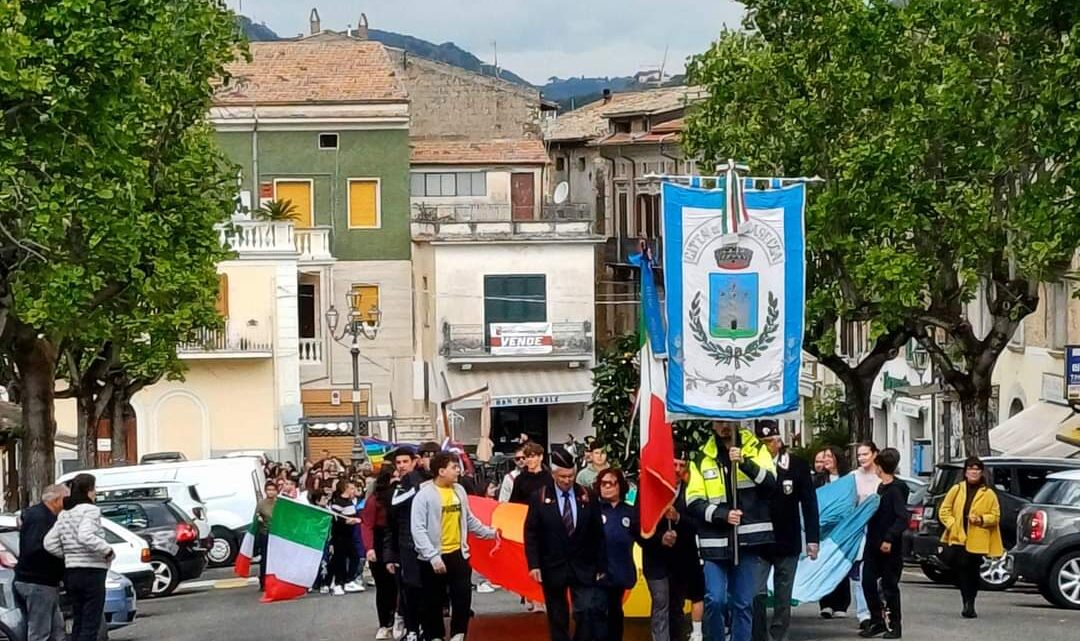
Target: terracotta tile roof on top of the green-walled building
column 290, row 73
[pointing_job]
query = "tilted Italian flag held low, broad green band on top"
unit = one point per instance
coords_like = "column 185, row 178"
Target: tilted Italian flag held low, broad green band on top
column 295, row 549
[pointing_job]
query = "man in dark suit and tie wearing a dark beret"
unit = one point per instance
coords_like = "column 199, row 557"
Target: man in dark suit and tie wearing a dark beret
column 564, row 545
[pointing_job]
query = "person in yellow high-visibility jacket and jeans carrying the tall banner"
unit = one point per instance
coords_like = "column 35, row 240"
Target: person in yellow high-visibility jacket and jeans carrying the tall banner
column 733, row 537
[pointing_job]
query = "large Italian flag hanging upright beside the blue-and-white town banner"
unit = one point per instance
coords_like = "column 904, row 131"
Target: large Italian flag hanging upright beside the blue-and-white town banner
column 657, row 492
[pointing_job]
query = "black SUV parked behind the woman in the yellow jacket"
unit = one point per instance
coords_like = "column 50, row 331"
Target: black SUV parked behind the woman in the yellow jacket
column 1017, row 481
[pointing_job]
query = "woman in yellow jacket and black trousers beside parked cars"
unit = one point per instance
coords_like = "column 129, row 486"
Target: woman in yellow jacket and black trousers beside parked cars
column 971, row 516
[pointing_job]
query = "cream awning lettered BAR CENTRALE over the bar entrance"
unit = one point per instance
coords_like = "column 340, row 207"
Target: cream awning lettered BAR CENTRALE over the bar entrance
column 523, row 387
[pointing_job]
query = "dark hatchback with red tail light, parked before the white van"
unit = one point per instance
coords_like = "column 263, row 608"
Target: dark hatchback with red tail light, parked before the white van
column 177, row 553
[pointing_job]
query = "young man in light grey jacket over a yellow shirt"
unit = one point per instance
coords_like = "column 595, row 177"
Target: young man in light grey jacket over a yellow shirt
column 441, row 525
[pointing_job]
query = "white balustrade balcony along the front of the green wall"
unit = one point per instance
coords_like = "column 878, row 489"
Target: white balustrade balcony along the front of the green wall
column 271, row 240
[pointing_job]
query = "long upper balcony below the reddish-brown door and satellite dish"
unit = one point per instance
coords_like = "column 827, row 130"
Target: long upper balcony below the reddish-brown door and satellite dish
column 496, row 223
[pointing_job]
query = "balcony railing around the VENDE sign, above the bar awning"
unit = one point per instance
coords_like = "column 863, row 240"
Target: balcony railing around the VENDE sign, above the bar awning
column 572, row 342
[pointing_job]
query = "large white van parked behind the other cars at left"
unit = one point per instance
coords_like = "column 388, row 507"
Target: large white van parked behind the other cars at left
column 228, row 487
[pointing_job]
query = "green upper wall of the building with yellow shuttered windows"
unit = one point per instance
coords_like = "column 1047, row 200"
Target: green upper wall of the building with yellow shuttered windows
column 379, row 154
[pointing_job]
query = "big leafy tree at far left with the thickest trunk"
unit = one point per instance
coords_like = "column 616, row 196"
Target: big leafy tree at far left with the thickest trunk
column 111, row 182
